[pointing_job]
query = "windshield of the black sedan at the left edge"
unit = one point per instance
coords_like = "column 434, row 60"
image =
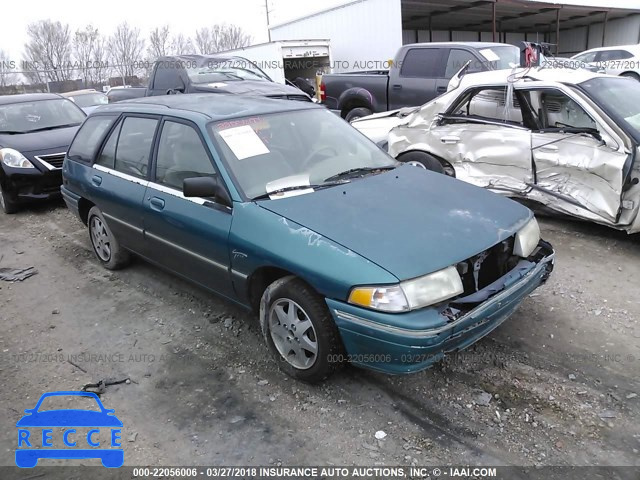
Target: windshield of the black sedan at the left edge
column 44, row 114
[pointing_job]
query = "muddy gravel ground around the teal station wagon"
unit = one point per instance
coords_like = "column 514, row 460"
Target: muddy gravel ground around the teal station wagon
column 557, row 384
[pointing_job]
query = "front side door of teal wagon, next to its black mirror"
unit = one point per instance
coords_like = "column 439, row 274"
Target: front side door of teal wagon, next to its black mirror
column 187, row 235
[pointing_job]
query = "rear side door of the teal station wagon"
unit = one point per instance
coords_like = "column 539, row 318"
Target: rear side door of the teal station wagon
column 119, row 178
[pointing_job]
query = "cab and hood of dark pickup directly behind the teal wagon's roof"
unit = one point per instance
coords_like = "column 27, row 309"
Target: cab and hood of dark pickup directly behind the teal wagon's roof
column 216, row 74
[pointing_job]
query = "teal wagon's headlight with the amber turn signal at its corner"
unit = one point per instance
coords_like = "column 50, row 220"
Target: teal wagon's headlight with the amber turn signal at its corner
column 410, row 294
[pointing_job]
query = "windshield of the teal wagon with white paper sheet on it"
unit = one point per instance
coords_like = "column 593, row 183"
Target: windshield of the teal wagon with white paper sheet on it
column 286, row 150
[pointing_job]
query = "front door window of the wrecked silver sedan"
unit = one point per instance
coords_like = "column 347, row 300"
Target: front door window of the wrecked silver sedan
column 554, row 109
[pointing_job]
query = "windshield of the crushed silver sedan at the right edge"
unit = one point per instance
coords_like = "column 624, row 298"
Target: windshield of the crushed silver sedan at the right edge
column 619, row 97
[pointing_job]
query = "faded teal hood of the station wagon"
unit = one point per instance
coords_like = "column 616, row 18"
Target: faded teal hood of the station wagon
column 408, row 221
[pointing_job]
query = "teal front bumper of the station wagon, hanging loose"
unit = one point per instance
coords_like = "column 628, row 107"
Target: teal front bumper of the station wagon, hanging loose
column 413, row 341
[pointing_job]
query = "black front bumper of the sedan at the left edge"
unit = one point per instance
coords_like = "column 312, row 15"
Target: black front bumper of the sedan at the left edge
column 26, row 185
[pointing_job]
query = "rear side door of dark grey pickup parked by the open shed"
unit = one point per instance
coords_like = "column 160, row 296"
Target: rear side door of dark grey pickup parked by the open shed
column 414, row 82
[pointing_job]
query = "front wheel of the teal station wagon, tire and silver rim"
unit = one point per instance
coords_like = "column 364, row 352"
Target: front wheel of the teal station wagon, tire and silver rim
column 300, row 331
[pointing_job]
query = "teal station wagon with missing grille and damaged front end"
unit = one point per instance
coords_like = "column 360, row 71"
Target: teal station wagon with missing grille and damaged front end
column 283, row 208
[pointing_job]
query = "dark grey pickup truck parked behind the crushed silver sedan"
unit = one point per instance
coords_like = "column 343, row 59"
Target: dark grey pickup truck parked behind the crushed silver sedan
column 419, row 72
